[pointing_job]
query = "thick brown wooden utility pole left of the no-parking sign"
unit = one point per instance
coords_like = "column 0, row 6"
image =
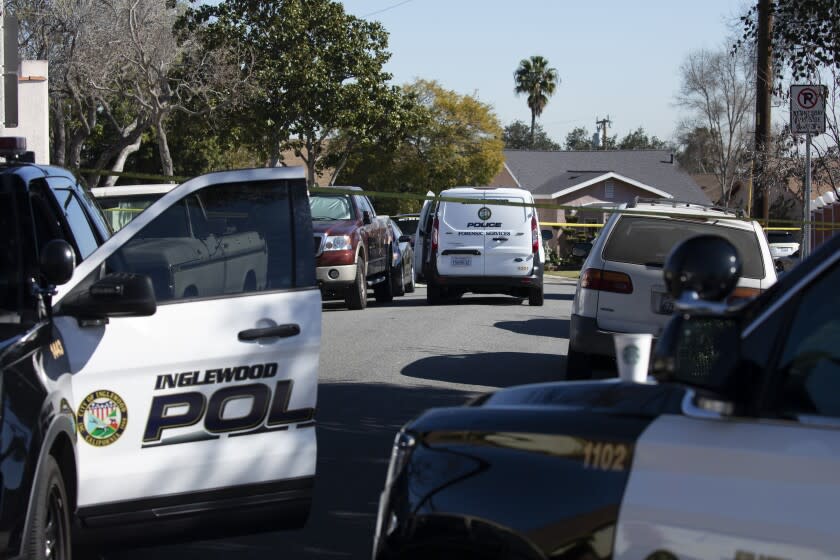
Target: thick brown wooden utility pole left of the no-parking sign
column 763, row 97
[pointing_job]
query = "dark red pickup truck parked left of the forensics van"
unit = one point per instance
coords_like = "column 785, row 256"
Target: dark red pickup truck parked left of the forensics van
column 352, row 248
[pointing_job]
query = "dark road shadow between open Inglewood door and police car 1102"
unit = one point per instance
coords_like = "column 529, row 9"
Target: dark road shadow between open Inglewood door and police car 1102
column 356, row 427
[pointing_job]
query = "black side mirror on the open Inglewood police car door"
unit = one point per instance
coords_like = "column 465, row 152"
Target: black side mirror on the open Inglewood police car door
column 123, row 294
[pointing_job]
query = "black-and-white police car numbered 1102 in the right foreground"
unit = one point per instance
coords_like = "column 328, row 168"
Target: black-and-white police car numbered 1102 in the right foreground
column 735, row 456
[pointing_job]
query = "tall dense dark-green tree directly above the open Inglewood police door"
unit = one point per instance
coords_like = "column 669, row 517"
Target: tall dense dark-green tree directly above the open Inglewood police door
column 315, row 71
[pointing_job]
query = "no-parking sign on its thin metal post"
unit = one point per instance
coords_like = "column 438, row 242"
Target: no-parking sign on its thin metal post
column 807, row 116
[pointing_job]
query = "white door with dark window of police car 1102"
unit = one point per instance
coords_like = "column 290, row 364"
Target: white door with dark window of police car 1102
column 705, row 486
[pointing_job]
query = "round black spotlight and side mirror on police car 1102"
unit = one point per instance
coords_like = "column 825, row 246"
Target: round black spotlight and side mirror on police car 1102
column 700, row 346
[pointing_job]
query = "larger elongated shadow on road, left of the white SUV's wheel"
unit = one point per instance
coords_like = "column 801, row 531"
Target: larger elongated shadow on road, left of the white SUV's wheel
column 491, row 369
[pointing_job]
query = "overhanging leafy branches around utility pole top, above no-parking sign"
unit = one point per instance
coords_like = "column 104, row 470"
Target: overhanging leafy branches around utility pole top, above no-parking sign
column 804, row 35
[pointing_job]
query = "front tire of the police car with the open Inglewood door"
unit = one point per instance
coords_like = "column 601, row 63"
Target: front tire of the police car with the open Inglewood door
column 49, row 531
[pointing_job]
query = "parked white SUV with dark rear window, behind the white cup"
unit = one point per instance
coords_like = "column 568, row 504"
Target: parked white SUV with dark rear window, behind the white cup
column 620, row 289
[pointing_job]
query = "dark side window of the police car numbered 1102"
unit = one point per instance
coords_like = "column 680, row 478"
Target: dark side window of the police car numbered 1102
column 811, row 357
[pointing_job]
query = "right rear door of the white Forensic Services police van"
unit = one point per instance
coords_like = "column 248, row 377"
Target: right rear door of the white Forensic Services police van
column 507, row 237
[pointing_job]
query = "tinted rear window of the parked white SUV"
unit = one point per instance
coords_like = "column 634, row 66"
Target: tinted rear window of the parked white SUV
column 648, row 241
